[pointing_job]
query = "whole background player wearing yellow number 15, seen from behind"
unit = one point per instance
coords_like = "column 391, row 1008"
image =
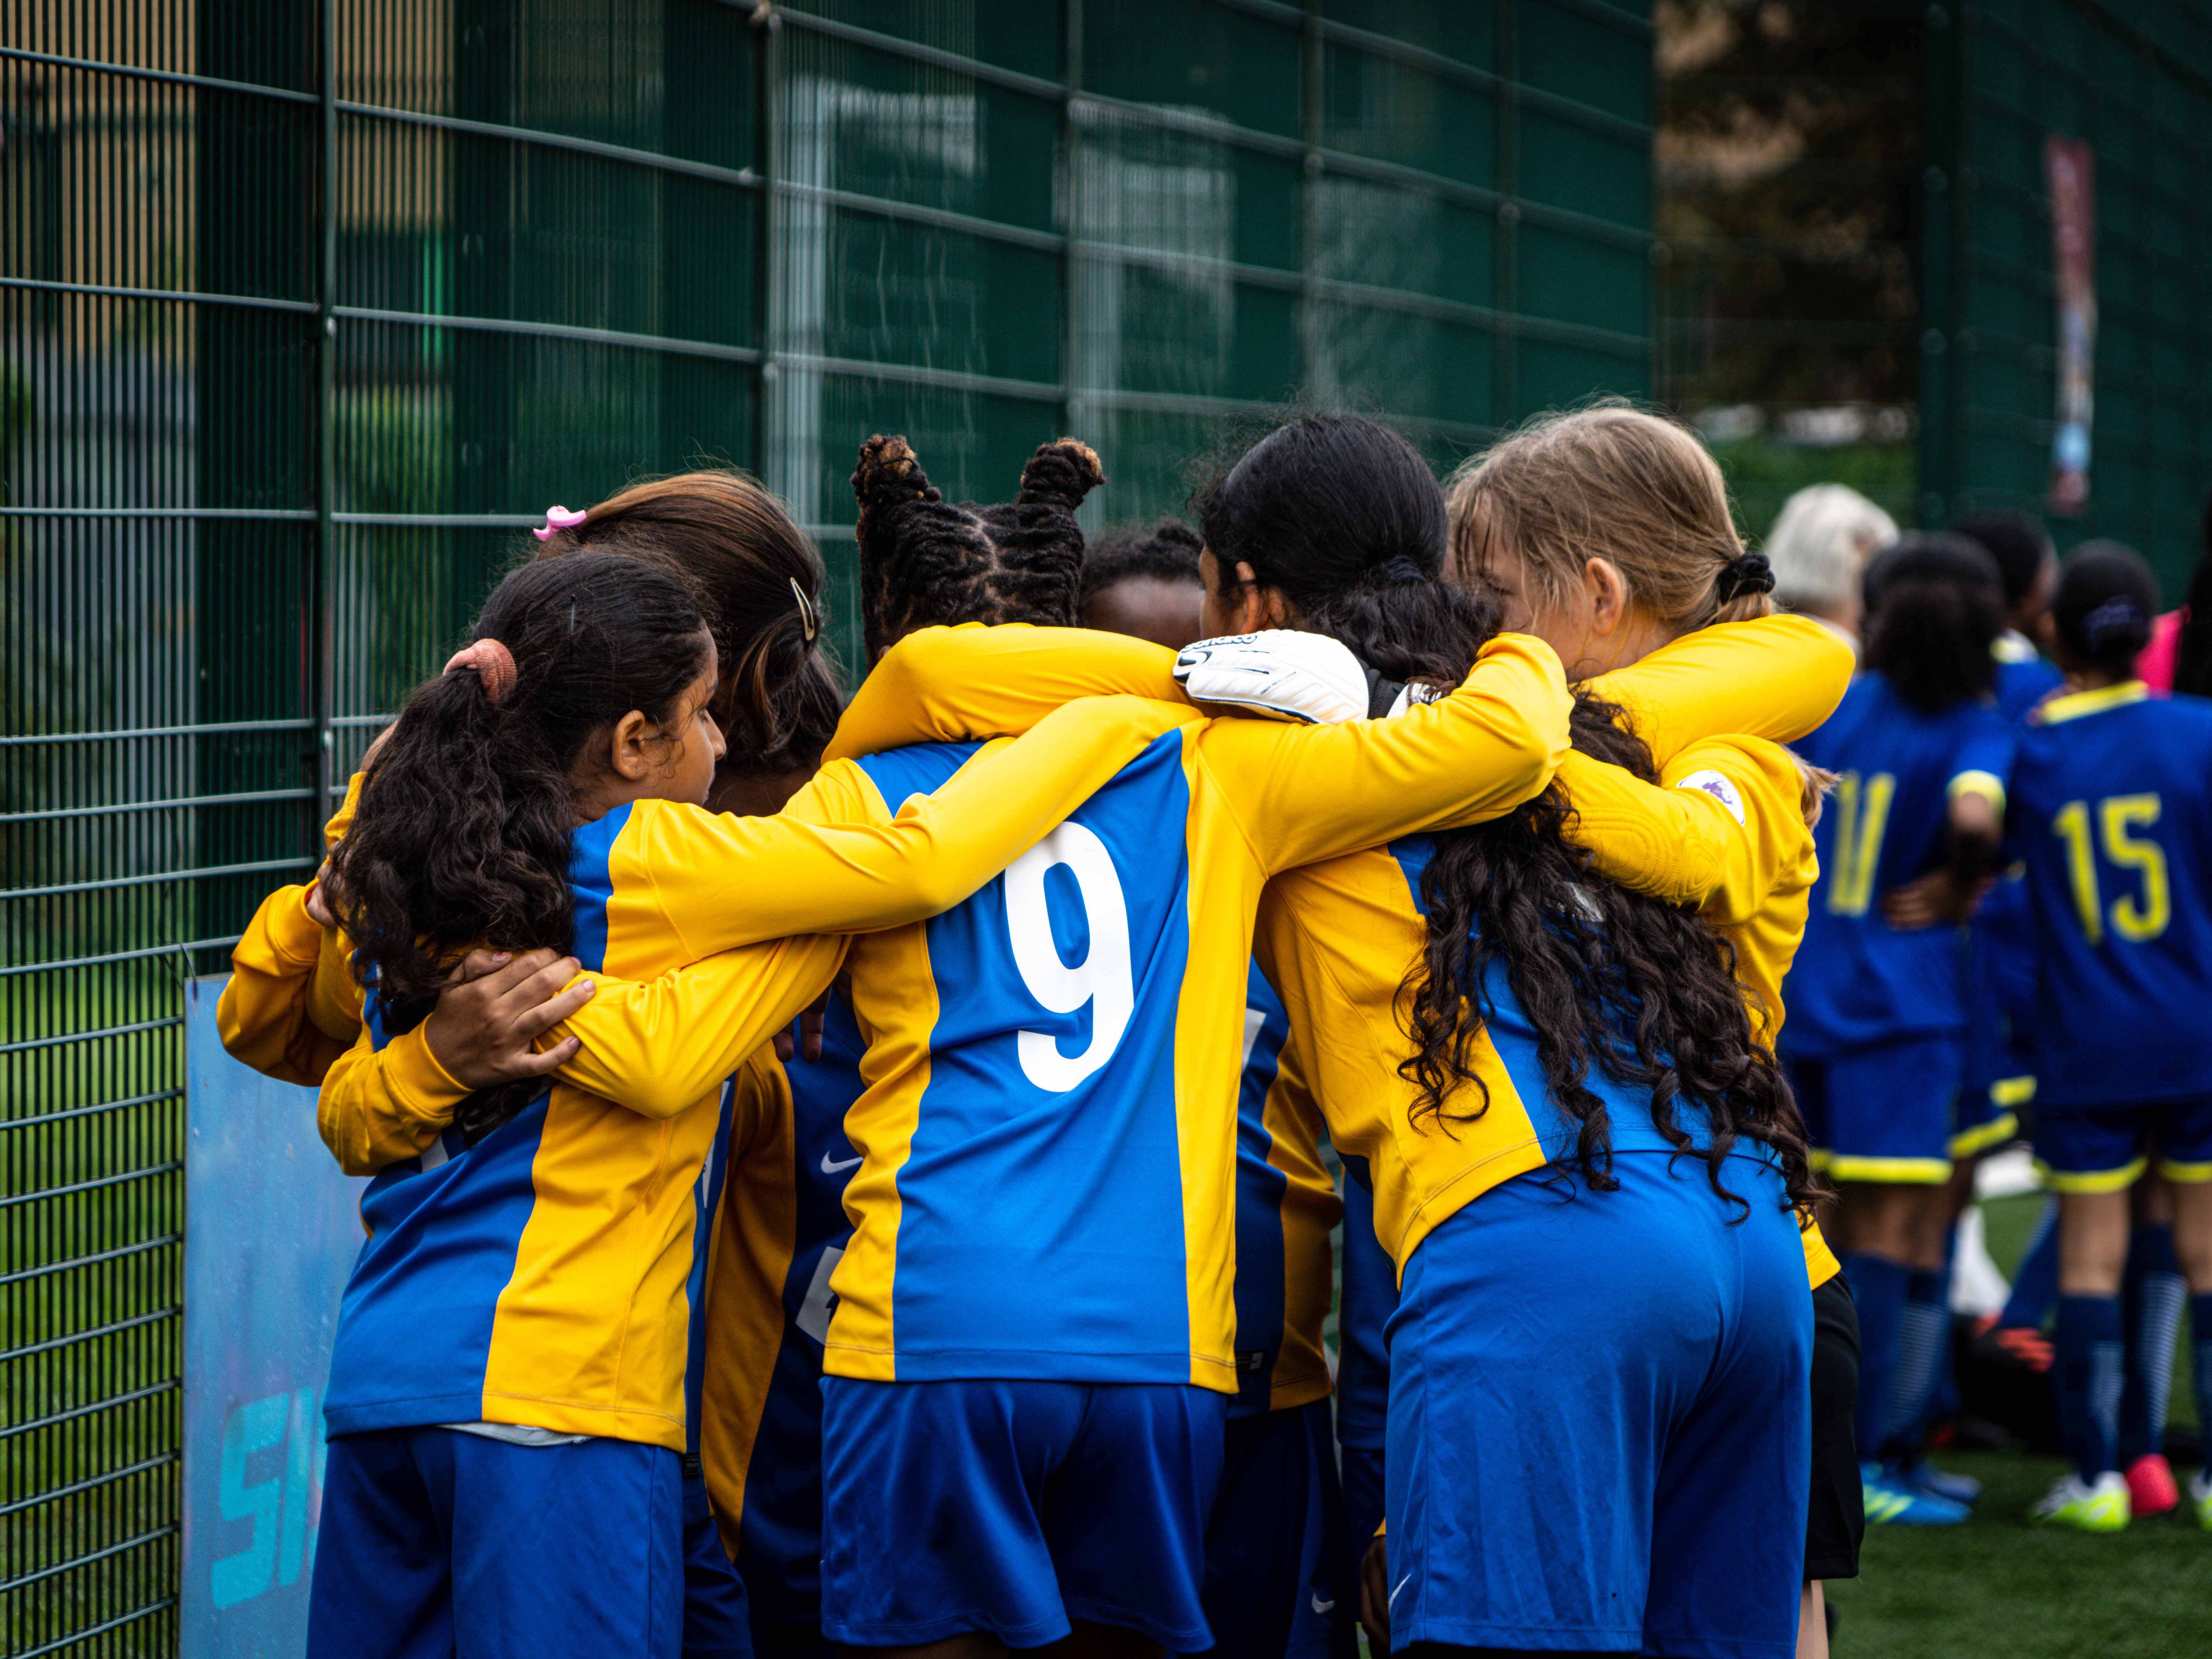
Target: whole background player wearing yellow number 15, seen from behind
column 2114, row 820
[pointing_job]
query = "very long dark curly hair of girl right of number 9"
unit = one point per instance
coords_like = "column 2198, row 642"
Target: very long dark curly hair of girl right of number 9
column 1350, row 525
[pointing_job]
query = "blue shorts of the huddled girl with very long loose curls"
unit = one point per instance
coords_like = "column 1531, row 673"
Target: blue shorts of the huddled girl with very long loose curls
column 1600, row 1419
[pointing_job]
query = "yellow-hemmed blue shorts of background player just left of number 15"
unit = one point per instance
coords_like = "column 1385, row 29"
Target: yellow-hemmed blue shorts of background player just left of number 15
column 1884, row 1114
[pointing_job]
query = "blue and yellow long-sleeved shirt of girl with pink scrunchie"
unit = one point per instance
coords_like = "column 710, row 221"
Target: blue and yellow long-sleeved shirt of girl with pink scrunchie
column 552, row 1273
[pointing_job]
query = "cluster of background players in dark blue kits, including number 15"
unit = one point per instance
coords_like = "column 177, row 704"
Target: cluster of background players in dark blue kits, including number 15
column 1963, row 755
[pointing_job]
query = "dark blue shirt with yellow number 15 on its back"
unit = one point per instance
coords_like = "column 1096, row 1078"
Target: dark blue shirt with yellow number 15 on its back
column 2111, row 813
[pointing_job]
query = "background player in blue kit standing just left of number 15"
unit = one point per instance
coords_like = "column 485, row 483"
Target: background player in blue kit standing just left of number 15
column 1877, row 1032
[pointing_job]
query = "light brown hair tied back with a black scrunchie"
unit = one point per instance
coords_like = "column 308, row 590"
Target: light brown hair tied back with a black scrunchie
column 1620, row 486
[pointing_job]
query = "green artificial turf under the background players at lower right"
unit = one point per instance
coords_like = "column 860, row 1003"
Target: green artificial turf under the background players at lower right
column 2014, row 1592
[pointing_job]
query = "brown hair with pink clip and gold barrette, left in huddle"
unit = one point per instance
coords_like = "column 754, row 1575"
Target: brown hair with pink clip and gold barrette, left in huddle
column 751, row 570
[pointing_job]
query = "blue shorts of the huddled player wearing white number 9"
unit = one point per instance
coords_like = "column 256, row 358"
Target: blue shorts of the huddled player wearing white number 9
column 1016, row 1510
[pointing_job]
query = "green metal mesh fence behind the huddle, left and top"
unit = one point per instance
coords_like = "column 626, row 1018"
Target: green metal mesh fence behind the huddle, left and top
column 306, row 311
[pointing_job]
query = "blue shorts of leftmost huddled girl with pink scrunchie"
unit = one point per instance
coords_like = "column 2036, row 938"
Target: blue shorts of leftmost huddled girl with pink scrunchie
column 437, row 1543
